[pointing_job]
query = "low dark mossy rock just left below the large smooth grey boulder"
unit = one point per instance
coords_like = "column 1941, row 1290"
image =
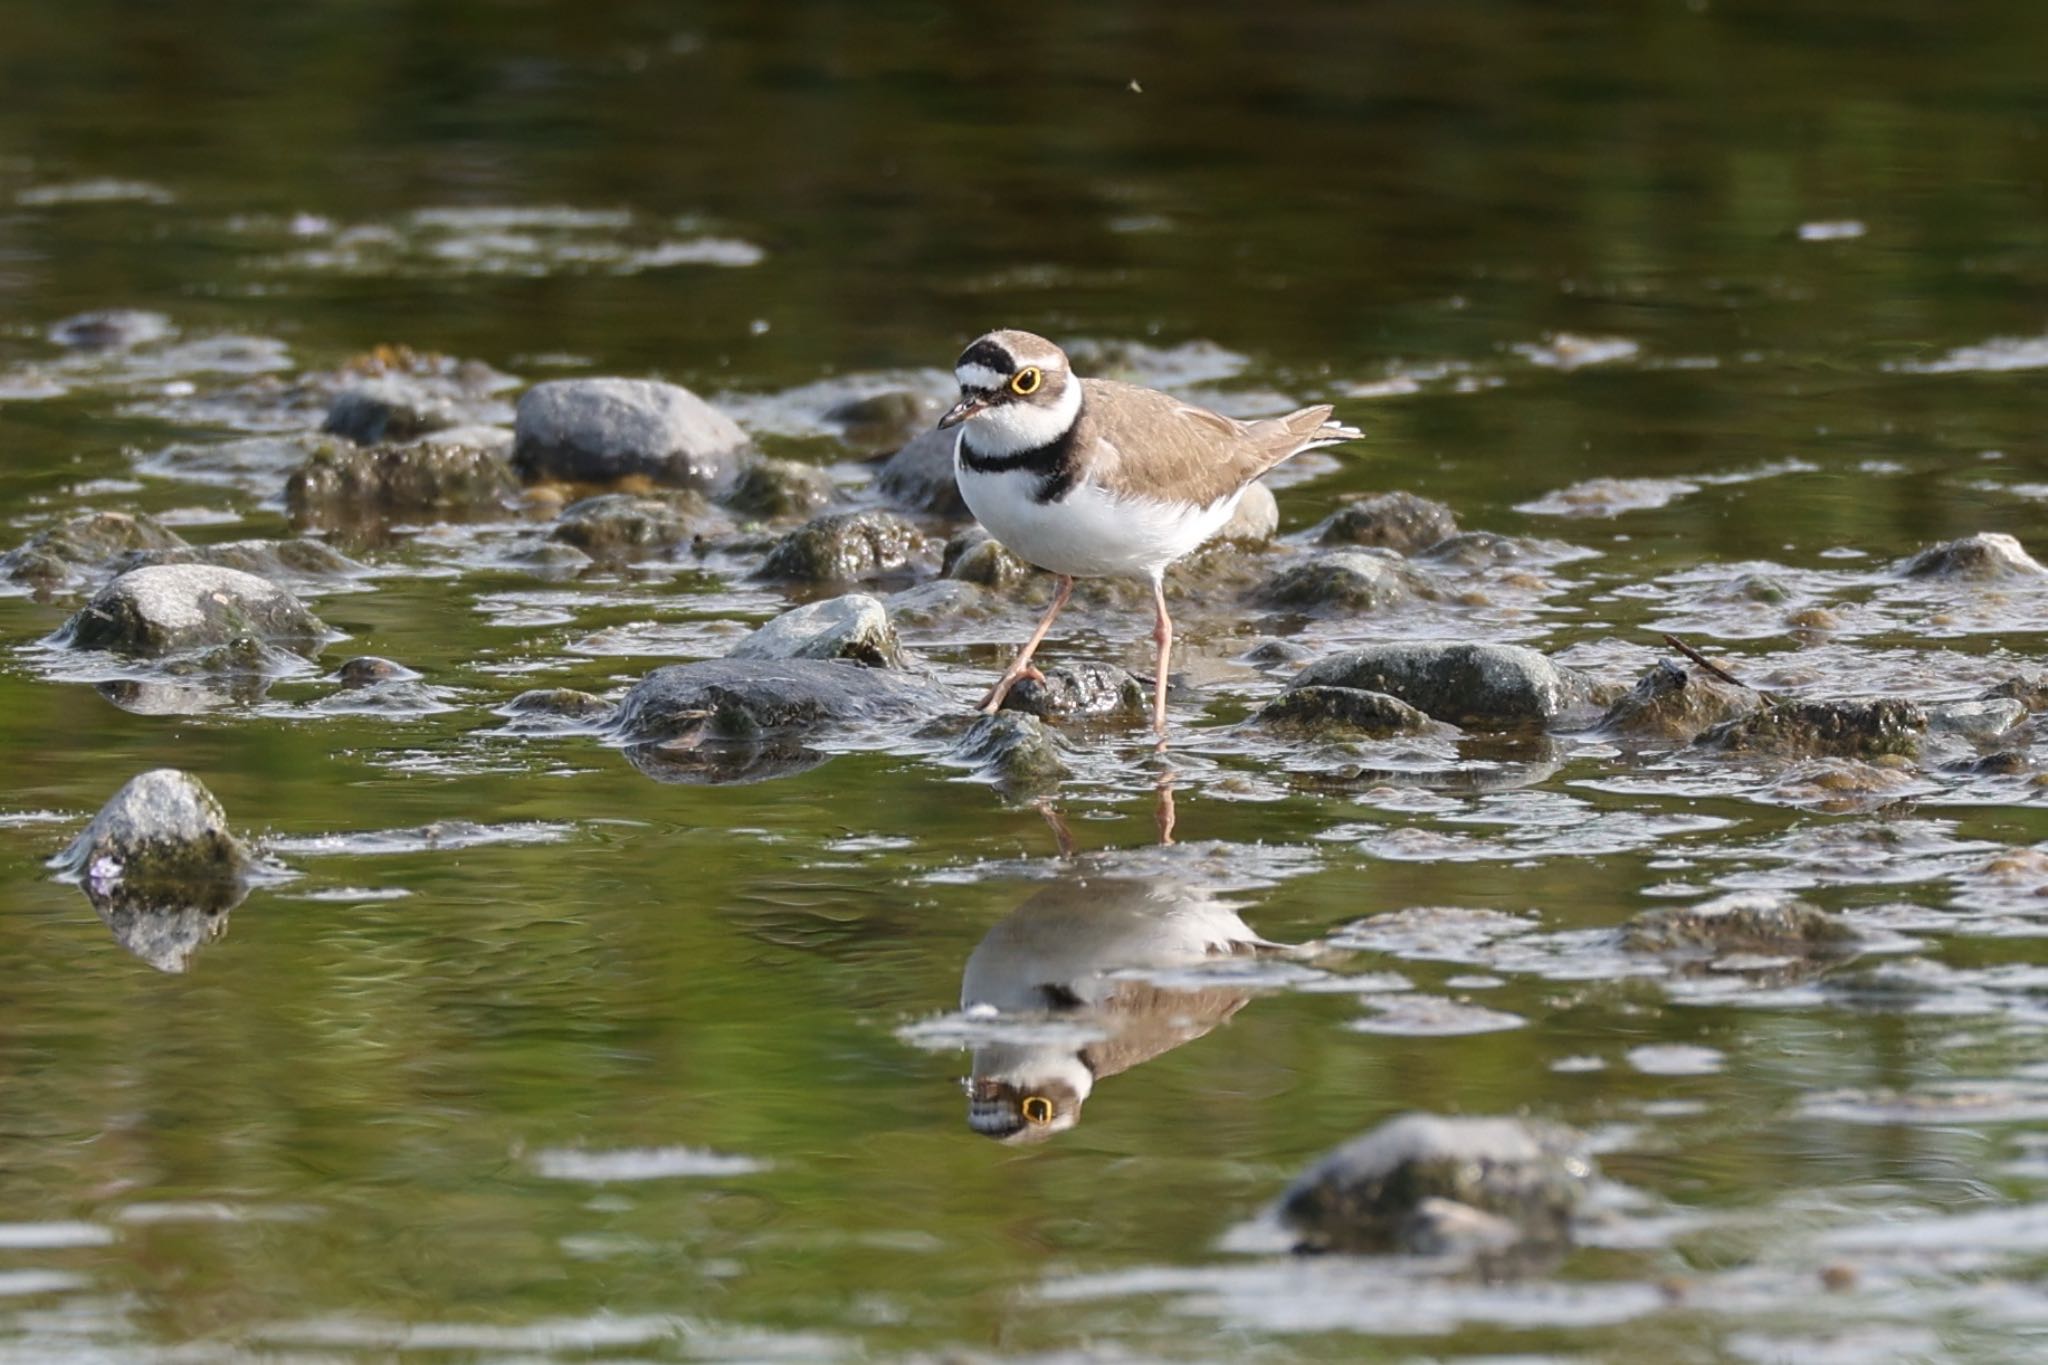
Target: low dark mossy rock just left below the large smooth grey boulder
column 345, row 484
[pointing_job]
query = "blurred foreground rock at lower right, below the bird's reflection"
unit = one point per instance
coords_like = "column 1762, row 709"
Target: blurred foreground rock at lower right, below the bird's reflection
column 1371, row 1194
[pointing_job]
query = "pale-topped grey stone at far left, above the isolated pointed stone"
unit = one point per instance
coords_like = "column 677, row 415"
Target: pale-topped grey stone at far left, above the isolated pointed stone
column 169, row 609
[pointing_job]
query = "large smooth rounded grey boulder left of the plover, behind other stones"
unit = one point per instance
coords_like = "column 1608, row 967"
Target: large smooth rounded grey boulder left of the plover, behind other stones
column 601, row 431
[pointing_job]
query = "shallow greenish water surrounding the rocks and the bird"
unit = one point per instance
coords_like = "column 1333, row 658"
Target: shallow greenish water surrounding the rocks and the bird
column 523, row 1057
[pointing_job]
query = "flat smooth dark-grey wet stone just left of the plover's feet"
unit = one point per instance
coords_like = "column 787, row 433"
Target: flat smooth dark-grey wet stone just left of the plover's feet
column 751, row 699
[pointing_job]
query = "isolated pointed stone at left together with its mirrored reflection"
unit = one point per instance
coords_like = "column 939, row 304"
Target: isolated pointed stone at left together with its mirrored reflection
column 161, row 867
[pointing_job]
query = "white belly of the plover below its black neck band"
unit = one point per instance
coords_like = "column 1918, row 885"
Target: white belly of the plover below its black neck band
column 1089, row 533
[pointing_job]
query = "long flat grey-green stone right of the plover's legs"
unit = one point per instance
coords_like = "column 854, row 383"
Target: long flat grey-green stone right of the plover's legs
column 1465, row 685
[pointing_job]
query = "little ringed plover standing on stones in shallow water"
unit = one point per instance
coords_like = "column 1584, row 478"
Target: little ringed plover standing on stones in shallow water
column 1093, row 478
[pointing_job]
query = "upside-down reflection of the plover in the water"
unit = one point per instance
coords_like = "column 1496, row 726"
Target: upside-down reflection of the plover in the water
column 1105, row 949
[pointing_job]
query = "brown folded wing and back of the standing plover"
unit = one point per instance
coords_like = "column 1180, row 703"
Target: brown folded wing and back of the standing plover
column 1142, row 441
